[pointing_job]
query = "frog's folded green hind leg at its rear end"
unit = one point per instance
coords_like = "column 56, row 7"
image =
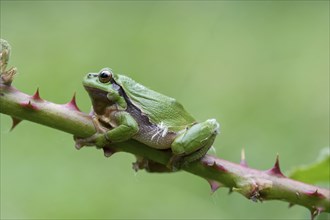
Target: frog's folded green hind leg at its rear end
column 193, row 143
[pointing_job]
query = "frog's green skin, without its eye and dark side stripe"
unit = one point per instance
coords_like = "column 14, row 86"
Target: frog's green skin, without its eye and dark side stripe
column 191, row 140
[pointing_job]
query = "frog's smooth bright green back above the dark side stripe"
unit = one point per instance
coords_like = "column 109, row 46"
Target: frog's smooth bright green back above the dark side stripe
column 160, row 109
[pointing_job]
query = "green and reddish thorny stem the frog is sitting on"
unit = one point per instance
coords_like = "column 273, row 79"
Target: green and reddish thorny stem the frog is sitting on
column 256, row 185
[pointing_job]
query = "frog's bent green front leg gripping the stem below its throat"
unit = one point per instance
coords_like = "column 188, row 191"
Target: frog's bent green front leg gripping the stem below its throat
column 125, row 128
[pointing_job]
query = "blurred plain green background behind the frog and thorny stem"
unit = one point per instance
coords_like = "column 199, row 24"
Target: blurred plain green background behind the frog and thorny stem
column 261, row 68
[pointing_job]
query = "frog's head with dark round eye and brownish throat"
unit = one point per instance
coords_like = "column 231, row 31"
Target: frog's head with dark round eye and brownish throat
column 98, row 85
